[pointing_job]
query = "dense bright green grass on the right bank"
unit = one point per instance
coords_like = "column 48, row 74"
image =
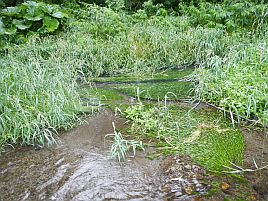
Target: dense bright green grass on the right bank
column 240, row 83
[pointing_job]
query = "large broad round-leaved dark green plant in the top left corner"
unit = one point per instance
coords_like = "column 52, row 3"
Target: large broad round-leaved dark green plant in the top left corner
column 31, row 16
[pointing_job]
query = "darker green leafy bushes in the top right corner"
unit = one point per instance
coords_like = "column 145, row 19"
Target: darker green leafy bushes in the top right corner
column 231, row 15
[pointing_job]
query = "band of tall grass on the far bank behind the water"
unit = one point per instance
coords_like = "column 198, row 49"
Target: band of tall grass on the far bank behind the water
column 117, row 43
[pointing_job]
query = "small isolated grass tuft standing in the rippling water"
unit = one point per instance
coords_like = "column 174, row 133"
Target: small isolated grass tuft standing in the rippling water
column 121, row 147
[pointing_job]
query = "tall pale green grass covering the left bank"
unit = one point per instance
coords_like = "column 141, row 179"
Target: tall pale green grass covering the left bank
column 38, row 94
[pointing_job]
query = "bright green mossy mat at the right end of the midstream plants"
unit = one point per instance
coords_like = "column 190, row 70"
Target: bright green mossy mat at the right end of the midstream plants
column 216, row 149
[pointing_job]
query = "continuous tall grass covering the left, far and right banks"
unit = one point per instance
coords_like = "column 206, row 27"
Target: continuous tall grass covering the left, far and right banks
column 38, row 79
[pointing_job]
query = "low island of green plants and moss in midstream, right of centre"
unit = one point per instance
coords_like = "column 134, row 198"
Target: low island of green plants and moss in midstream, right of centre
column 204, row 135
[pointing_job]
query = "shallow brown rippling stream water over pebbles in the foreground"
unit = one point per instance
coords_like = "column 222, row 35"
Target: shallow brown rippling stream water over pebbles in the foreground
column 78, row 168
